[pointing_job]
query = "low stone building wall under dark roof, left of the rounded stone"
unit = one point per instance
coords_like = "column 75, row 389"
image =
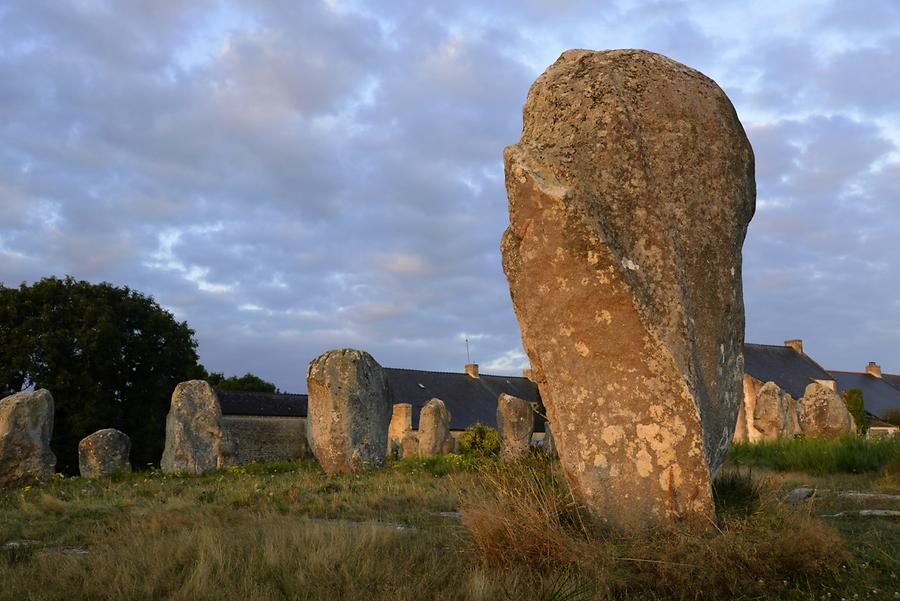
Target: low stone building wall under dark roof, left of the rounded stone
column 267, row 438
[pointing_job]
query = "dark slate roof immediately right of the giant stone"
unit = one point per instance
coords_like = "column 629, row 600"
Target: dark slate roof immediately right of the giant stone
column 792, row 371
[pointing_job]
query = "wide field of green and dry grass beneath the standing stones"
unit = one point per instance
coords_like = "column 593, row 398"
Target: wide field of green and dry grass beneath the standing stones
column 447, row 528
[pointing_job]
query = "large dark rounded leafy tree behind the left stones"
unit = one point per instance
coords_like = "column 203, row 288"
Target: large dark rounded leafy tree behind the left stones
column 110, row 356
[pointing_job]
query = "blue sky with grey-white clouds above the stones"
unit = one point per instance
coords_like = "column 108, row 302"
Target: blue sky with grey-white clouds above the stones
column 290, row 177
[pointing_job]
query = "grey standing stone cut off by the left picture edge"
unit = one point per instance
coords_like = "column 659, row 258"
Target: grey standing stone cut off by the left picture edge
column 26, row 425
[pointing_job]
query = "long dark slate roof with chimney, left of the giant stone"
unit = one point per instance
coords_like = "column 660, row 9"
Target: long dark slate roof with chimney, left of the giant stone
column 468, row 399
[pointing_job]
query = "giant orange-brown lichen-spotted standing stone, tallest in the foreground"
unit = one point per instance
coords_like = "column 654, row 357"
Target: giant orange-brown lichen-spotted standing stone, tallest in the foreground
column 630, row 192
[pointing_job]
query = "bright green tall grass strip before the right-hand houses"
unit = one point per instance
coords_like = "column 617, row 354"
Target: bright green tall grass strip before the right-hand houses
column 819, row 456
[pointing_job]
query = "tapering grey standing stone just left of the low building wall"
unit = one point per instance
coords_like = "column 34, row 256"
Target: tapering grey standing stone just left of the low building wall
column 196, row 441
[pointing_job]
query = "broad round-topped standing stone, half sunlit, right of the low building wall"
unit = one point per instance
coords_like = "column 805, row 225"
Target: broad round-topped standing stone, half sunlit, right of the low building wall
column 350, row 403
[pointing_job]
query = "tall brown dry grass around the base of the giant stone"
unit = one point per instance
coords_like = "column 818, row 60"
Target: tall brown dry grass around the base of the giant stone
column 523, row 517
